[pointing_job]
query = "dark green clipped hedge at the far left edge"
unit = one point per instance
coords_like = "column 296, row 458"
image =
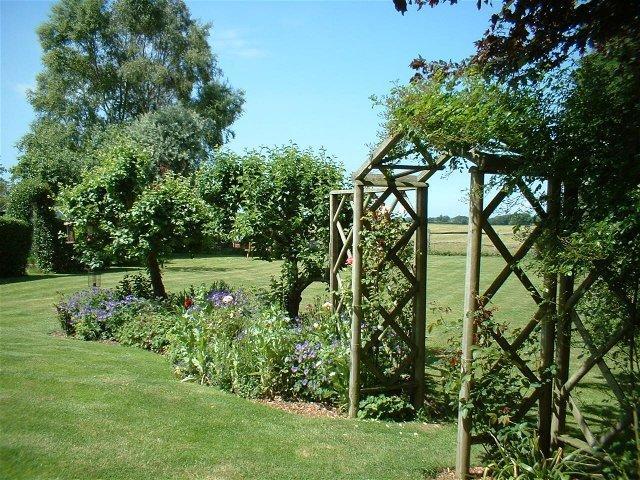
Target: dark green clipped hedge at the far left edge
column 15, row 243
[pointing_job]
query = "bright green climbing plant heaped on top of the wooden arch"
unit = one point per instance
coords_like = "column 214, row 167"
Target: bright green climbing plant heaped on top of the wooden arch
column 460, row 111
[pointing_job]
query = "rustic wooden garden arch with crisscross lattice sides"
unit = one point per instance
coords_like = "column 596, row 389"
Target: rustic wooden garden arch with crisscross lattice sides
column 398, row 172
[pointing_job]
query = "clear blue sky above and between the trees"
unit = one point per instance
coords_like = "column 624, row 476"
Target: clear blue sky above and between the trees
column 307, row 69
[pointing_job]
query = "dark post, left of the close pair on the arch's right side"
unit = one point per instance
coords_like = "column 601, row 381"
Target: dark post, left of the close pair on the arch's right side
column 547, row 332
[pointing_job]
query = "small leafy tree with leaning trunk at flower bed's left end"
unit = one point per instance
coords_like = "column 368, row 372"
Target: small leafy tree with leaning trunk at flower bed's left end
column 129, row 208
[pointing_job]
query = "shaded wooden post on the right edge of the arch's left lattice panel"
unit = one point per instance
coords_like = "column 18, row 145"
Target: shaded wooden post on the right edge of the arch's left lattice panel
column 420, row 304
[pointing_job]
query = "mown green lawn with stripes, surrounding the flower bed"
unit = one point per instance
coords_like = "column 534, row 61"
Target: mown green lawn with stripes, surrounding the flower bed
column 74, row 409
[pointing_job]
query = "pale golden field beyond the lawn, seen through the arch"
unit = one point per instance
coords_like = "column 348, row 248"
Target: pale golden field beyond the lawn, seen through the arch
column 449, row 239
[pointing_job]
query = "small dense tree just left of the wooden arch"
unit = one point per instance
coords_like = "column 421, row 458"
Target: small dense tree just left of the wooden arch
column 284, row 211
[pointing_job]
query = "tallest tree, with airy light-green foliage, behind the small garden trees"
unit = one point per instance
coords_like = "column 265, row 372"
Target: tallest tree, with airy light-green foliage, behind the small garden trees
column 106, row 63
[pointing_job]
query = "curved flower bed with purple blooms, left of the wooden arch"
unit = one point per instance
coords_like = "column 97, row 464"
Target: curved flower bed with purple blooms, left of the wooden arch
column 220, row 336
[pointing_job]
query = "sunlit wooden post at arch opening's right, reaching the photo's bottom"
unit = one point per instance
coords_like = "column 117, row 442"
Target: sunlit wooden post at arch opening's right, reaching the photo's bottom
column 472, row 290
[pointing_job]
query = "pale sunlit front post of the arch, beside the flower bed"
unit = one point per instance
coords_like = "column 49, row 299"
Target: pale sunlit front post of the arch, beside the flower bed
column 356, row 288
